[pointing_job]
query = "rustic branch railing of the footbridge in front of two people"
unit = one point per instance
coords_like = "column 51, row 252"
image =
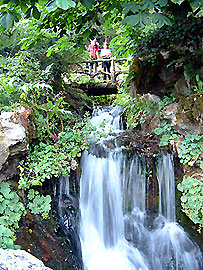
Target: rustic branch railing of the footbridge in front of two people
column 83, row 69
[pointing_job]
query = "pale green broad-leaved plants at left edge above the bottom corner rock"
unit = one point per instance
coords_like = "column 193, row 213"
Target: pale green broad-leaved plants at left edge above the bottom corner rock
column 12, row 209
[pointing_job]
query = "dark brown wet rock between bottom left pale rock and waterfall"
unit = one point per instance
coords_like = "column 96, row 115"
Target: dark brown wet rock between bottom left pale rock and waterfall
column 45, row 239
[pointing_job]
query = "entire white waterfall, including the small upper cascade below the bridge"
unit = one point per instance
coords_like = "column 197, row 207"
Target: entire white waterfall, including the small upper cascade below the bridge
column 113, row 230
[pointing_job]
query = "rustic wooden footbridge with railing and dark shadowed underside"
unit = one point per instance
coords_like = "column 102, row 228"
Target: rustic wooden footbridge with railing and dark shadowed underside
column 95, row 86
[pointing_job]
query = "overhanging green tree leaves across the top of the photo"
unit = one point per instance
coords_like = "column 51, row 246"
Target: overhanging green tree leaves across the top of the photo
column 79, row 20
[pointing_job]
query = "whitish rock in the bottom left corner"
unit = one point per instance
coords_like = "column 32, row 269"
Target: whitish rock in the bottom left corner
column 20, row 260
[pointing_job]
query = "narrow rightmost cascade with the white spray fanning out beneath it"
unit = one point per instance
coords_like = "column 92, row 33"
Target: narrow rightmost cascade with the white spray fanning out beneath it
column 170, row 246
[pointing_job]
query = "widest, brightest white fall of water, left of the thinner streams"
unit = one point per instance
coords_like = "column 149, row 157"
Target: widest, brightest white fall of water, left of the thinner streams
column 102, row 222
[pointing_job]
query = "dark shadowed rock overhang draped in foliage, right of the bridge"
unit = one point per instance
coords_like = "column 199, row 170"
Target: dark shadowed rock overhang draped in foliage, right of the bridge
column 168, row 61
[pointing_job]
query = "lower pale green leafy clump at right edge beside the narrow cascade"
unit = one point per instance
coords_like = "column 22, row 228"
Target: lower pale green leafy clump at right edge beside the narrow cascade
column 192, row 199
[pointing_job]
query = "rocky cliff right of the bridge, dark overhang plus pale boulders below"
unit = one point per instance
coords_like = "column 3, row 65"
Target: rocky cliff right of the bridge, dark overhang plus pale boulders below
column 167, row 63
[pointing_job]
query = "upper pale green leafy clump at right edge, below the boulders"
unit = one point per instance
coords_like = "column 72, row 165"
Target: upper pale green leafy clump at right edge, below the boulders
column 191, row 149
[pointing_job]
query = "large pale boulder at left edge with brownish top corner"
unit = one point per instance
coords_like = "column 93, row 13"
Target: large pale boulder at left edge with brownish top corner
column 14, row 140
